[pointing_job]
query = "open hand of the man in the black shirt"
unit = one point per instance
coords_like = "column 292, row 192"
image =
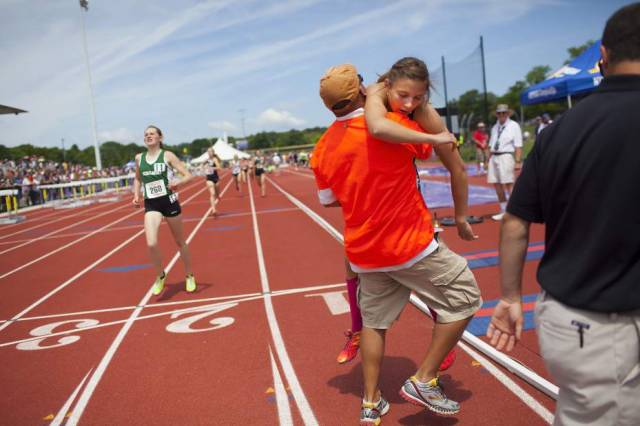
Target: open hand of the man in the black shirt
column 505, row 328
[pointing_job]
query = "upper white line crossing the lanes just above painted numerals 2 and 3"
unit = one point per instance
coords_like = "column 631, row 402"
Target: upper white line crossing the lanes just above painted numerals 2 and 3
column 180, row 302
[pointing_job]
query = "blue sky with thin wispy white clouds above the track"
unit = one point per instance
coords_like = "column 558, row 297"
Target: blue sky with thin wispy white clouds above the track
column 195, row 68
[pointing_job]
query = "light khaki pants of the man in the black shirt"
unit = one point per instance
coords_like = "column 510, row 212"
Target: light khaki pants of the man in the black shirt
column 599, row 381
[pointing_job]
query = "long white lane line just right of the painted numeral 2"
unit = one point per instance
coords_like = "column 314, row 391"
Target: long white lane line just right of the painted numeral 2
column 303, row 405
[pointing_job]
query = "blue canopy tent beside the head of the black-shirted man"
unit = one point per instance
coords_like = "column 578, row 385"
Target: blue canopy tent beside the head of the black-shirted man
column 580, row 76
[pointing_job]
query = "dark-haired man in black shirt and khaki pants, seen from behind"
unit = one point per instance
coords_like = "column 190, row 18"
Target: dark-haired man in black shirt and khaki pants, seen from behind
column 582, row 180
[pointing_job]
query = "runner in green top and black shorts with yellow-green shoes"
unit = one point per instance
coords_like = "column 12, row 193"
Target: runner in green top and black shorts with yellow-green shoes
column 161, row 200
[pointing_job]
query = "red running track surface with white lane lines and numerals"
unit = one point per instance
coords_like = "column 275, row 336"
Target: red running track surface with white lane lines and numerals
column 83, row 341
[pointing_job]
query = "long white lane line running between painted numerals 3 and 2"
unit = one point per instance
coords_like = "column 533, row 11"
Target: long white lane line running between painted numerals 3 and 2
column 104, row 363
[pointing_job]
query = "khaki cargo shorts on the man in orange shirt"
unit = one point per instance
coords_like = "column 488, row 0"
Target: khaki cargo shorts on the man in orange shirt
column 442, row 280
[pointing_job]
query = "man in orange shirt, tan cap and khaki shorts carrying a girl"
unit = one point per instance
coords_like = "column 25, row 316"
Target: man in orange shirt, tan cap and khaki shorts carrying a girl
column 389, row 240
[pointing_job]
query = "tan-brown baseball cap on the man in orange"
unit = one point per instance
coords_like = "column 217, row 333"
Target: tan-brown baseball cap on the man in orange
column 340, row 83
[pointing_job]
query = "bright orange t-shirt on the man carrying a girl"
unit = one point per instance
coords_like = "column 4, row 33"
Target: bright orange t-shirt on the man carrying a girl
column 387, row 221
